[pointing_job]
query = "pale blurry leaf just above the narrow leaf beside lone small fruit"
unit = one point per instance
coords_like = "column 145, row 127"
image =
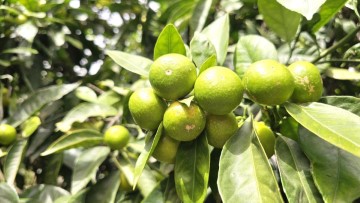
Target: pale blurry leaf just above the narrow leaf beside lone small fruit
column 82, row 112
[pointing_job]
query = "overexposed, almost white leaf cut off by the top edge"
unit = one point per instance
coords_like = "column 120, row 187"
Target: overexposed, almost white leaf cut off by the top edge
column 307, row 8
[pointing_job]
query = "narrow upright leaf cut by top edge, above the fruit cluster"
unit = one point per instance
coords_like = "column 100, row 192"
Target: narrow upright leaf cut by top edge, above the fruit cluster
column 200, row 15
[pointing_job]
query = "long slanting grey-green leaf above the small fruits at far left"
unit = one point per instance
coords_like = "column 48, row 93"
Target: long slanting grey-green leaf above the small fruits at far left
column 38, row 100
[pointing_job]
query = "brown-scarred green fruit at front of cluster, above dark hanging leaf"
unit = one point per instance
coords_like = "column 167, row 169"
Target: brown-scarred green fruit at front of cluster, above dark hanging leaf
column 182, row 122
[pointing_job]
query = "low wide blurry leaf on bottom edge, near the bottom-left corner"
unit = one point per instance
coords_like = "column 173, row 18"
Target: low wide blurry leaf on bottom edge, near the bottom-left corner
column 43, row 193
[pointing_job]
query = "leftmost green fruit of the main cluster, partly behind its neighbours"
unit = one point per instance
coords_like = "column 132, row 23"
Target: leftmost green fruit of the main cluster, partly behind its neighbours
column 146, row 108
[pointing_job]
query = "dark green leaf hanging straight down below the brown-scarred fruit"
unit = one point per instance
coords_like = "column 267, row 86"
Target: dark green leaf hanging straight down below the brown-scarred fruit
column 192, row 167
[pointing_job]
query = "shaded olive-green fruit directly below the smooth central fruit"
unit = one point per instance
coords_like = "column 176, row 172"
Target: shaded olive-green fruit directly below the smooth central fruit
column 219, row 128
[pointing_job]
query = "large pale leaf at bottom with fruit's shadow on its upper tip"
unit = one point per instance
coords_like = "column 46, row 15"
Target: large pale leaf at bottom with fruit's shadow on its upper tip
column 244, row 170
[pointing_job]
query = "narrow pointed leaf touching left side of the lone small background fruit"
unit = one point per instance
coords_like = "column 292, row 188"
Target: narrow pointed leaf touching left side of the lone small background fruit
column 78, row 138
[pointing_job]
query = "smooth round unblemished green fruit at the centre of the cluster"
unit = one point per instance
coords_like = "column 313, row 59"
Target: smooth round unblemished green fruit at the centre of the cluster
column 218, row 90
